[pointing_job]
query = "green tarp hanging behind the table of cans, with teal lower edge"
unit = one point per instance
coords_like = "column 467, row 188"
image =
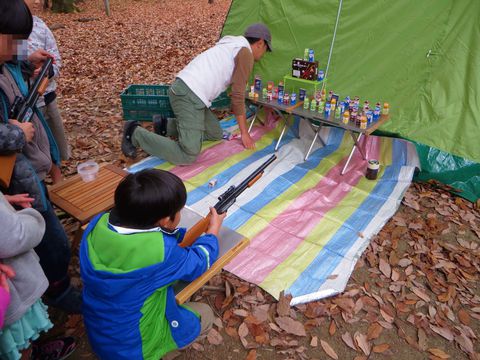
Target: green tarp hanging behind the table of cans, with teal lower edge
column 423, row 57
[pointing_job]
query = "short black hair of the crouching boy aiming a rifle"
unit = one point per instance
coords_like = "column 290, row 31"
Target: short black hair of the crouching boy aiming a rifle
column 143, row 198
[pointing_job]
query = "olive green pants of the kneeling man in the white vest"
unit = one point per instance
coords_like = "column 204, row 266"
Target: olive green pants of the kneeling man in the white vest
column 194, row 123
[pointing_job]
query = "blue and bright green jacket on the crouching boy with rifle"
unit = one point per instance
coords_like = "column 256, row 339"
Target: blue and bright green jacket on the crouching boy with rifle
column 129, row 306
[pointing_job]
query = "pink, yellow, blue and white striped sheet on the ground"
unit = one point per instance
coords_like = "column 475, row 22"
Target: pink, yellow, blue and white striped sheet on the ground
column 308, row 224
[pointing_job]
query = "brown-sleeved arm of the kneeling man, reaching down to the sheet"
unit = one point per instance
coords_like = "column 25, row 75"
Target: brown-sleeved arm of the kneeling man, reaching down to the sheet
column 241, row 73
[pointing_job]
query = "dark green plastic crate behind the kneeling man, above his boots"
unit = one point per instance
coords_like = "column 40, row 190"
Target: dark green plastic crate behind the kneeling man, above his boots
column 141, row 102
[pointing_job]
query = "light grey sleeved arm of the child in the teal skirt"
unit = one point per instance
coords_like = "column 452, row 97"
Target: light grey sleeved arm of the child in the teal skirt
column 25, row 229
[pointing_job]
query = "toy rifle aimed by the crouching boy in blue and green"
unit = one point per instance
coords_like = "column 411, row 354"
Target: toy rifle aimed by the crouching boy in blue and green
column 224, row 202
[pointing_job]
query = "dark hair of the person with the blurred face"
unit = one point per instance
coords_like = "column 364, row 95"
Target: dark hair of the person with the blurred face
column 16, row 18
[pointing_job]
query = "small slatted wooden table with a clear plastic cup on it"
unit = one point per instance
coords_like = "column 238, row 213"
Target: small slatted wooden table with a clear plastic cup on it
column 84, row 200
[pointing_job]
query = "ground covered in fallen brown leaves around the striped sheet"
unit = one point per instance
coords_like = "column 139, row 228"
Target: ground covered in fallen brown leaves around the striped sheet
column 414, row 293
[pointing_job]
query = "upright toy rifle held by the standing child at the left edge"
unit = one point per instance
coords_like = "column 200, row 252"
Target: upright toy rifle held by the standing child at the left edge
column 22, row 110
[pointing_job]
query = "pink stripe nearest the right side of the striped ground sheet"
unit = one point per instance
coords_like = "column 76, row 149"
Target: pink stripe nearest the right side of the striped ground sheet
column 273, row 245
